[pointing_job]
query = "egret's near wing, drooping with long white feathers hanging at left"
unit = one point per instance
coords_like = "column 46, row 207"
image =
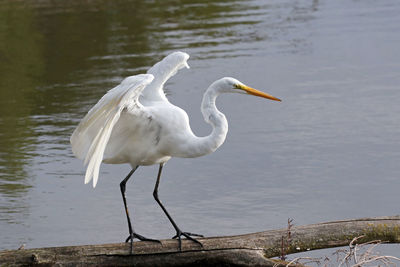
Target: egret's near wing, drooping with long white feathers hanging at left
column 90, row 138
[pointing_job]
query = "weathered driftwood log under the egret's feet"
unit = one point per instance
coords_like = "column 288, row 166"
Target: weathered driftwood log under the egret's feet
column 254, row 249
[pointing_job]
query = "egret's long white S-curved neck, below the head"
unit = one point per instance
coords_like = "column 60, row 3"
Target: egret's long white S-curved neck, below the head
column 199, row 146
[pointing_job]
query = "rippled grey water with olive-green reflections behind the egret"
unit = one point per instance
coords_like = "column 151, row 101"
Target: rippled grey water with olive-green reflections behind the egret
column 329, row 151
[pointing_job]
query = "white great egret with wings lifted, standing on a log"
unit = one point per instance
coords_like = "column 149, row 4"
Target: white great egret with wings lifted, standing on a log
column 135, row 123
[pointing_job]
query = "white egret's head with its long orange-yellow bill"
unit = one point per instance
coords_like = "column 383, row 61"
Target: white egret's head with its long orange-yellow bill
column 231, row 85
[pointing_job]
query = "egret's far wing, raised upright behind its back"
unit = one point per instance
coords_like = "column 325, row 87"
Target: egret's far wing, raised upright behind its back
column 162, row 71
